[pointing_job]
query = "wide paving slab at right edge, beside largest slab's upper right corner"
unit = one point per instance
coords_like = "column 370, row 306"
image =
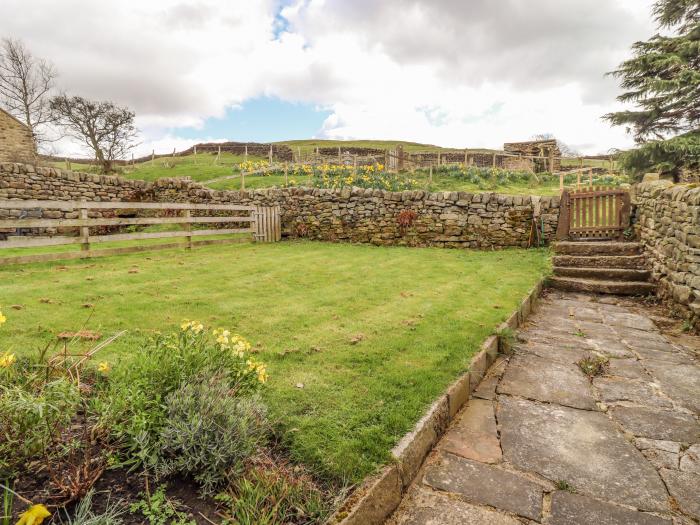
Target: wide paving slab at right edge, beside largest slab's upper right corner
column 655, row 423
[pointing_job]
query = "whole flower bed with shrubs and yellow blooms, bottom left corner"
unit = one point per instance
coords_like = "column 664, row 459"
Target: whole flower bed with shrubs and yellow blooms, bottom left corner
column 185, row 407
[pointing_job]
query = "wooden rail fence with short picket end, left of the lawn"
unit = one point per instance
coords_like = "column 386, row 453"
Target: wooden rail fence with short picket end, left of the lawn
column 262, row 223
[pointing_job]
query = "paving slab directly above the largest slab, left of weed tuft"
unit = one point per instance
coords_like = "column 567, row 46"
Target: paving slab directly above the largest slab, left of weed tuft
column 544, row 380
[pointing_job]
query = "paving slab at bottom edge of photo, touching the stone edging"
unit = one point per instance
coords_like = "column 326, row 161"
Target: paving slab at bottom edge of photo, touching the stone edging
column 423, row 506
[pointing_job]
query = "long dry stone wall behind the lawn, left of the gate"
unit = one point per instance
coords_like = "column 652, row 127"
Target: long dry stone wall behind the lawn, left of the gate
column 445, row 219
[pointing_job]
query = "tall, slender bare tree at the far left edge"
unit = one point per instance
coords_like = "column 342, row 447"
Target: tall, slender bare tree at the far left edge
column 25, row 85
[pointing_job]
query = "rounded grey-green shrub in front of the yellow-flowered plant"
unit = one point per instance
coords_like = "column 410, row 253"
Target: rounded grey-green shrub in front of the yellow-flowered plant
column 210, row 432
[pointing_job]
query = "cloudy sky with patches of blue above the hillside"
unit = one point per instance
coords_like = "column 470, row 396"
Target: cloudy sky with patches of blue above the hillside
column 457, row 73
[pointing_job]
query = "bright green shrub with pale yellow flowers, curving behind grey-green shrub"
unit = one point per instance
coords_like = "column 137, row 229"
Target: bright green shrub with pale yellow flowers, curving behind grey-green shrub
column 135, row 407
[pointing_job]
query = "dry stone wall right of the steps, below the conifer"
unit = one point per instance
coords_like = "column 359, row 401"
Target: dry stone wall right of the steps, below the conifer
column 667, row 221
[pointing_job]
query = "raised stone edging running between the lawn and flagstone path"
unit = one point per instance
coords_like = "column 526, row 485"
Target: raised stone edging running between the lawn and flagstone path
column 374, row 501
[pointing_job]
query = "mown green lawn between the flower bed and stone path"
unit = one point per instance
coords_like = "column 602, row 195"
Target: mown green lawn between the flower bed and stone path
column 373, row 334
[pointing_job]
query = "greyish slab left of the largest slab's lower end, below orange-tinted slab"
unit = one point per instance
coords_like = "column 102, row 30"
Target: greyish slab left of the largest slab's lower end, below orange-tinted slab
column 486, row 485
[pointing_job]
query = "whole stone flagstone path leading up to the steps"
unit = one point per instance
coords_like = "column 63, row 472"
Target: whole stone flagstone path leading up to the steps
column 540, row 442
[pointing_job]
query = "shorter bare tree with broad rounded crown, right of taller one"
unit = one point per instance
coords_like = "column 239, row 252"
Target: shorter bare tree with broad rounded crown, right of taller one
column 106, row 129
